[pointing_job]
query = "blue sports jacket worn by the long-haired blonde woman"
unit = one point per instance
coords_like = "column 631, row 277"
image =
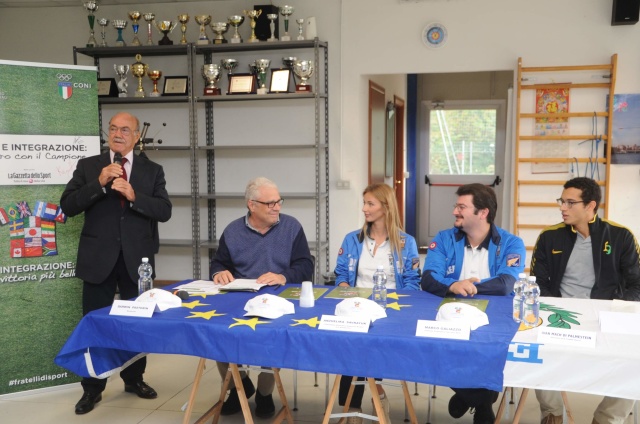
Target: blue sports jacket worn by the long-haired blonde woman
column 408, row 277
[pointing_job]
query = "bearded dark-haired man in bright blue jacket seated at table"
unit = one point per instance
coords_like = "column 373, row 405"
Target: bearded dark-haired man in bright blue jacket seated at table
column 474, row 257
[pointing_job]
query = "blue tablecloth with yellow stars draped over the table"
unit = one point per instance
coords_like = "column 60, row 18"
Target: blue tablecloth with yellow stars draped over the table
column 103, row 343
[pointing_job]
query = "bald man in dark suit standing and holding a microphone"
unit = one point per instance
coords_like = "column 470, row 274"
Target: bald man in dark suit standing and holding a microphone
column 123, row 197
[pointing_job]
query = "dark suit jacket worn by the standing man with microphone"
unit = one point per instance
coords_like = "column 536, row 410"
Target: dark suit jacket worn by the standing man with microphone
column 110, row 228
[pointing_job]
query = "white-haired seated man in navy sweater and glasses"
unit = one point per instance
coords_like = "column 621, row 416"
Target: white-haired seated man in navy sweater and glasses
column 267, row 246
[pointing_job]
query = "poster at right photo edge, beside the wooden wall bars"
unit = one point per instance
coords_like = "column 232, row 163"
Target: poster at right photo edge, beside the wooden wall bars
column 625, row 144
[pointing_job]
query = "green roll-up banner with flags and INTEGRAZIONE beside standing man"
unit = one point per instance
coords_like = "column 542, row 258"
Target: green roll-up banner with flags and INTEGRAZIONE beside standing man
column 48, row 121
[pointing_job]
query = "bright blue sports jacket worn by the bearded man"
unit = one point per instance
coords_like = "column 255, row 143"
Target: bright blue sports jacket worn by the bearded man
column 446, row 254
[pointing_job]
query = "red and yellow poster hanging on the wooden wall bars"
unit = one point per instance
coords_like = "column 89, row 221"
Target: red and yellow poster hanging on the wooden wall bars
column 551, row 101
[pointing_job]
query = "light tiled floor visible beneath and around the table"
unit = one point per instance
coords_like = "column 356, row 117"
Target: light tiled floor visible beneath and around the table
column 171, row 376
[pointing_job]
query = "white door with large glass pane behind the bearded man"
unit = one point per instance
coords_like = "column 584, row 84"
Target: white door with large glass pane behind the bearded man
column 462, row 142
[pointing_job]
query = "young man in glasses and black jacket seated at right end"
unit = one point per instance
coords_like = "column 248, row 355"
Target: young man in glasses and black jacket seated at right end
column 591, row 258
